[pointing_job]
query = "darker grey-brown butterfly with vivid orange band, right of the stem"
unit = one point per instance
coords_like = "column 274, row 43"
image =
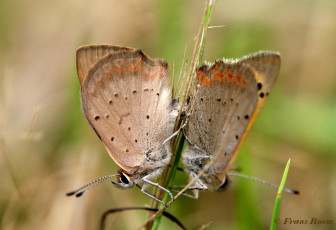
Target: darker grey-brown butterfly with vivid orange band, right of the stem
column 227, row 97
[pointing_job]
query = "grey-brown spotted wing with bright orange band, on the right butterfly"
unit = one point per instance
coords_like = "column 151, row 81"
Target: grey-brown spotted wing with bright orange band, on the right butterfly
column 226, row 104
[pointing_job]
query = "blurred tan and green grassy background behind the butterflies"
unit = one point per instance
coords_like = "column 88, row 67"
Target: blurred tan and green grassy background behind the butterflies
column 48, row 149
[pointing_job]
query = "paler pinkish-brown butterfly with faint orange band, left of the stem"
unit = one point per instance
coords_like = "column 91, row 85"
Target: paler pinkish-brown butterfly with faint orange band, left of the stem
column 127, row 101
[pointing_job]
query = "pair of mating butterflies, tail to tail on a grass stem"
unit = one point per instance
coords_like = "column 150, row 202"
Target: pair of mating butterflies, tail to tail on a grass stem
column 127, row 100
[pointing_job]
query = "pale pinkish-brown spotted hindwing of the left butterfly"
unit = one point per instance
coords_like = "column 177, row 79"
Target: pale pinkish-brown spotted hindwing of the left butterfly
column 127, row 101
